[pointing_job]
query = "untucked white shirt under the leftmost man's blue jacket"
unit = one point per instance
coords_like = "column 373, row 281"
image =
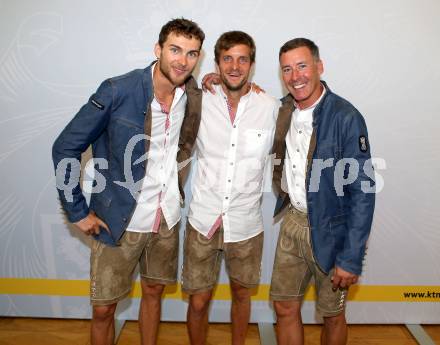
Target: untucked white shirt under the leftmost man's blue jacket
column 160, row 185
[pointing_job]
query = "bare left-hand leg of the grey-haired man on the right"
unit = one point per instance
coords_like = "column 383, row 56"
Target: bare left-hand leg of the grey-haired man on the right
column 290, row 329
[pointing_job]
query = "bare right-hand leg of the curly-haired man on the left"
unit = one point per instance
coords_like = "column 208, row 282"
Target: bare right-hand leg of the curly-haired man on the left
column 149, row 312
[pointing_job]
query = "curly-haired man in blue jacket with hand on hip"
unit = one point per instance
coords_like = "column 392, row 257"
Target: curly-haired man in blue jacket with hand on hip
column 135, row 124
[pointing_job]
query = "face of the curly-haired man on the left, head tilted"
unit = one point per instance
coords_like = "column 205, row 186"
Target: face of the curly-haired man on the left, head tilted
column 177, row 57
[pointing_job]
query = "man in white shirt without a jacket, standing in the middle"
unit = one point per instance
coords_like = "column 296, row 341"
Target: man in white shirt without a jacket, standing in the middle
column 233, row 143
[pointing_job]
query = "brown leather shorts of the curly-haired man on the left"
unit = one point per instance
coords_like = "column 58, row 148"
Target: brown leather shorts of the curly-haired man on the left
column 111, row 268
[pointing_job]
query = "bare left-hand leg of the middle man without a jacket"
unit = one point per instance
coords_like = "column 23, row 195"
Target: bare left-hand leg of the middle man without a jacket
column 197, row 317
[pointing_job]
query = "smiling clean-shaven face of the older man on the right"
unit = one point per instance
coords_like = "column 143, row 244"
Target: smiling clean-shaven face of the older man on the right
column 301, row 75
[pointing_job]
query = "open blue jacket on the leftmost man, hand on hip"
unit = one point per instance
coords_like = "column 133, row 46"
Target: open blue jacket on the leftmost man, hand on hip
column 117, row 112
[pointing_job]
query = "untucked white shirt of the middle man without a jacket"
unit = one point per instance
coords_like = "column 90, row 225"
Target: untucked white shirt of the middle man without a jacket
column 231, row 160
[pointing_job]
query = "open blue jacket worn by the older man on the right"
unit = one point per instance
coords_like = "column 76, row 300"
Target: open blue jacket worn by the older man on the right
column 339, row 215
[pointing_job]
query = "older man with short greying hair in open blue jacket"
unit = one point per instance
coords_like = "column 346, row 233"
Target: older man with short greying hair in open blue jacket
column 326, row 182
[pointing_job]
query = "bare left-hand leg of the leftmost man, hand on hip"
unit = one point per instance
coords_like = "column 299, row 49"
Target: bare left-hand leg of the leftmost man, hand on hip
column 102, row 330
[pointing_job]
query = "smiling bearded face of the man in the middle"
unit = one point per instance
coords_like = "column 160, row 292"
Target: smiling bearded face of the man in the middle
column 234, row 67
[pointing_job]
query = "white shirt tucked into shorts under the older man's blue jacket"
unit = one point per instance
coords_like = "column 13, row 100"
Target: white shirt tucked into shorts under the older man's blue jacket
column 297, row 144
